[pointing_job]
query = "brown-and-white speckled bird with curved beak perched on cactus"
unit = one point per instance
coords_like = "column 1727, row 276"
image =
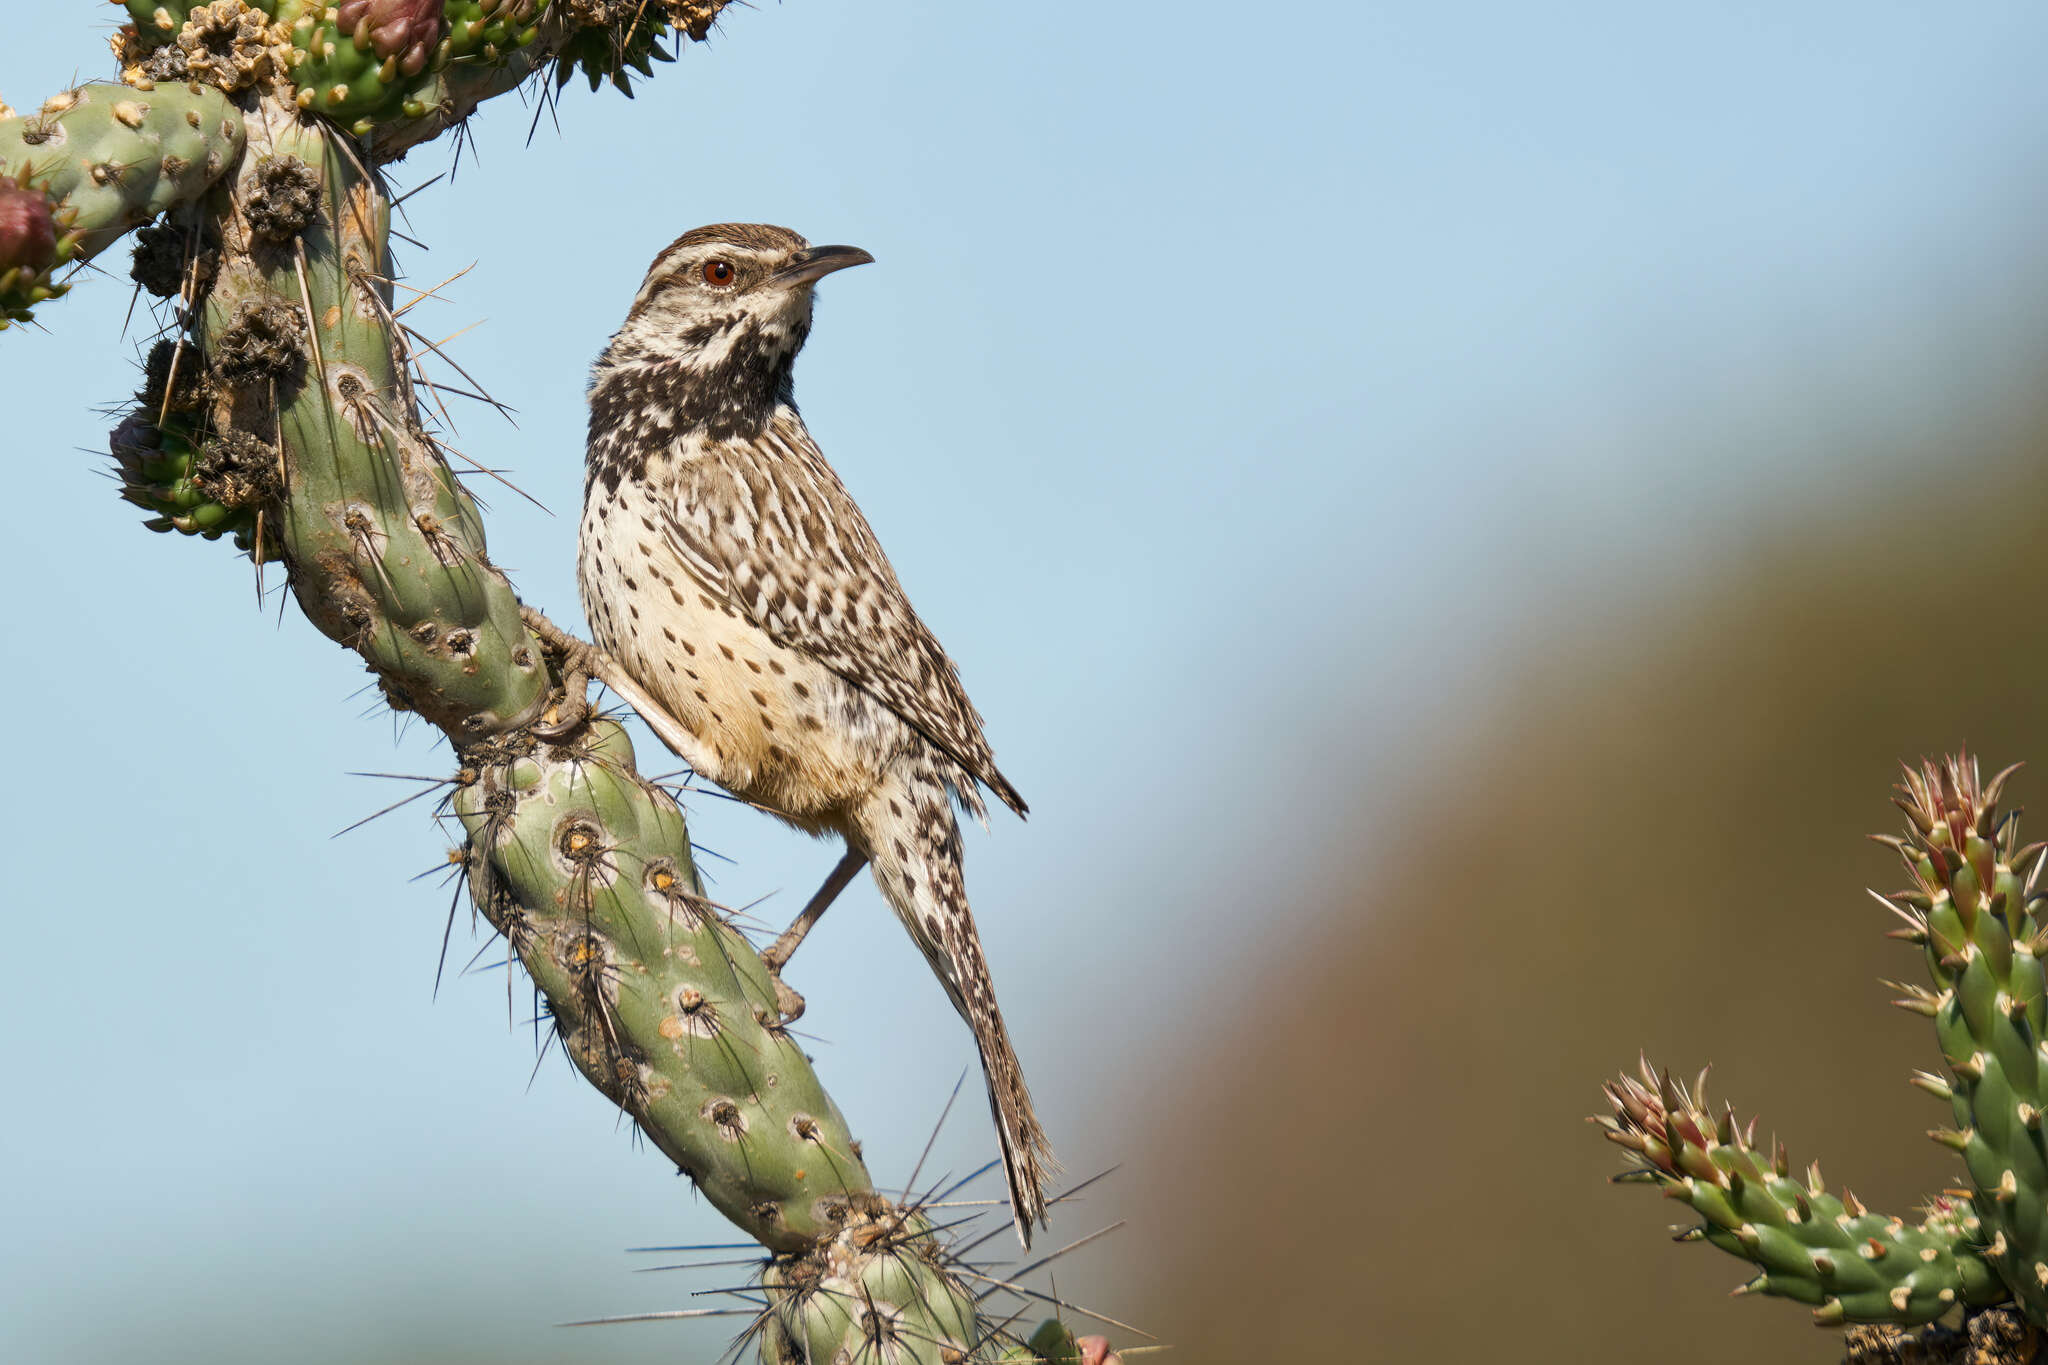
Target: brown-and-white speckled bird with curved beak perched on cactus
column 732, row 578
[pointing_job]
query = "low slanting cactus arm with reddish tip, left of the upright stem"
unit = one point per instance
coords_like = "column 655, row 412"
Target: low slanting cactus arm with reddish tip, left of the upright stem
column 1809, row 1245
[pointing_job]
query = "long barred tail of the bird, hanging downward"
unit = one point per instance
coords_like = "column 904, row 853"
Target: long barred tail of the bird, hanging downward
column 919, row 869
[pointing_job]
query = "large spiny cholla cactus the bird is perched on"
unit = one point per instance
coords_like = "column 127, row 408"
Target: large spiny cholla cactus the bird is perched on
column 245, row 140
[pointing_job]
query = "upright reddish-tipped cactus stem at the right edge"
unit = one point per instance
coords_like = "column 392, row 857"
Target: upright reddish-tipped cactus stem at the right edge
column 1971, row 910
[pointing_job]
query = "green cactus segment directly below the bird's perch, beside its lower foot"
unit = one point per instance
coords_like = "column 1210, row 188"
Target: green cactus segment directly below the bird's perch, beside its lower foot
column 658, row 1000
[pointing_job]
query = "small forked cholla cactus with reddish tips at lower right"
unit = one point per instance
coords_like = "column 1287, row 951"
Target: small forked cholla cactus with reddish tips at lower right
column 1969, row 912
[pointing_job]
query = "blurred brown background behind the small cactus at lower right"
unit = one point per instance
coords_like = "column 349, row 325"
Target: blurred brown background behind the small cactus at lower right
column 1652, row 840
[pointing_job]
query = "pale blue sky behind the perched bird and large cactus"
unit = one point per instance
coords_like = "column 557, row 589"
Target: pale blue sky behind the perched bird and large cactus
column 1234, row 390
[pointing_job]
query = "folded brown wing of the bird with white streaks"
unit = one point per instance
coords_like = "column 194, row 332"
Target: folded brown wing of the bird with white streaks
column 767, row 525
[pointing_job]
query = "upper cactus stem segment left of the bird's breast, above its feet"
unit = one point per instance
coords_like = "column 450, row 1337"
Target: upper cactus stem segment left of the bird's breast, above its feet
column 386, row 549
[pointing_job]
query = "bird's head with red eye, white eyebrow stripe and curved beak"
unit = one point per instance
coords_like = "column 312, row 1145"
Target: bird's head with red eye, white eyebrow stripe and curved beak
column 730, row 294
